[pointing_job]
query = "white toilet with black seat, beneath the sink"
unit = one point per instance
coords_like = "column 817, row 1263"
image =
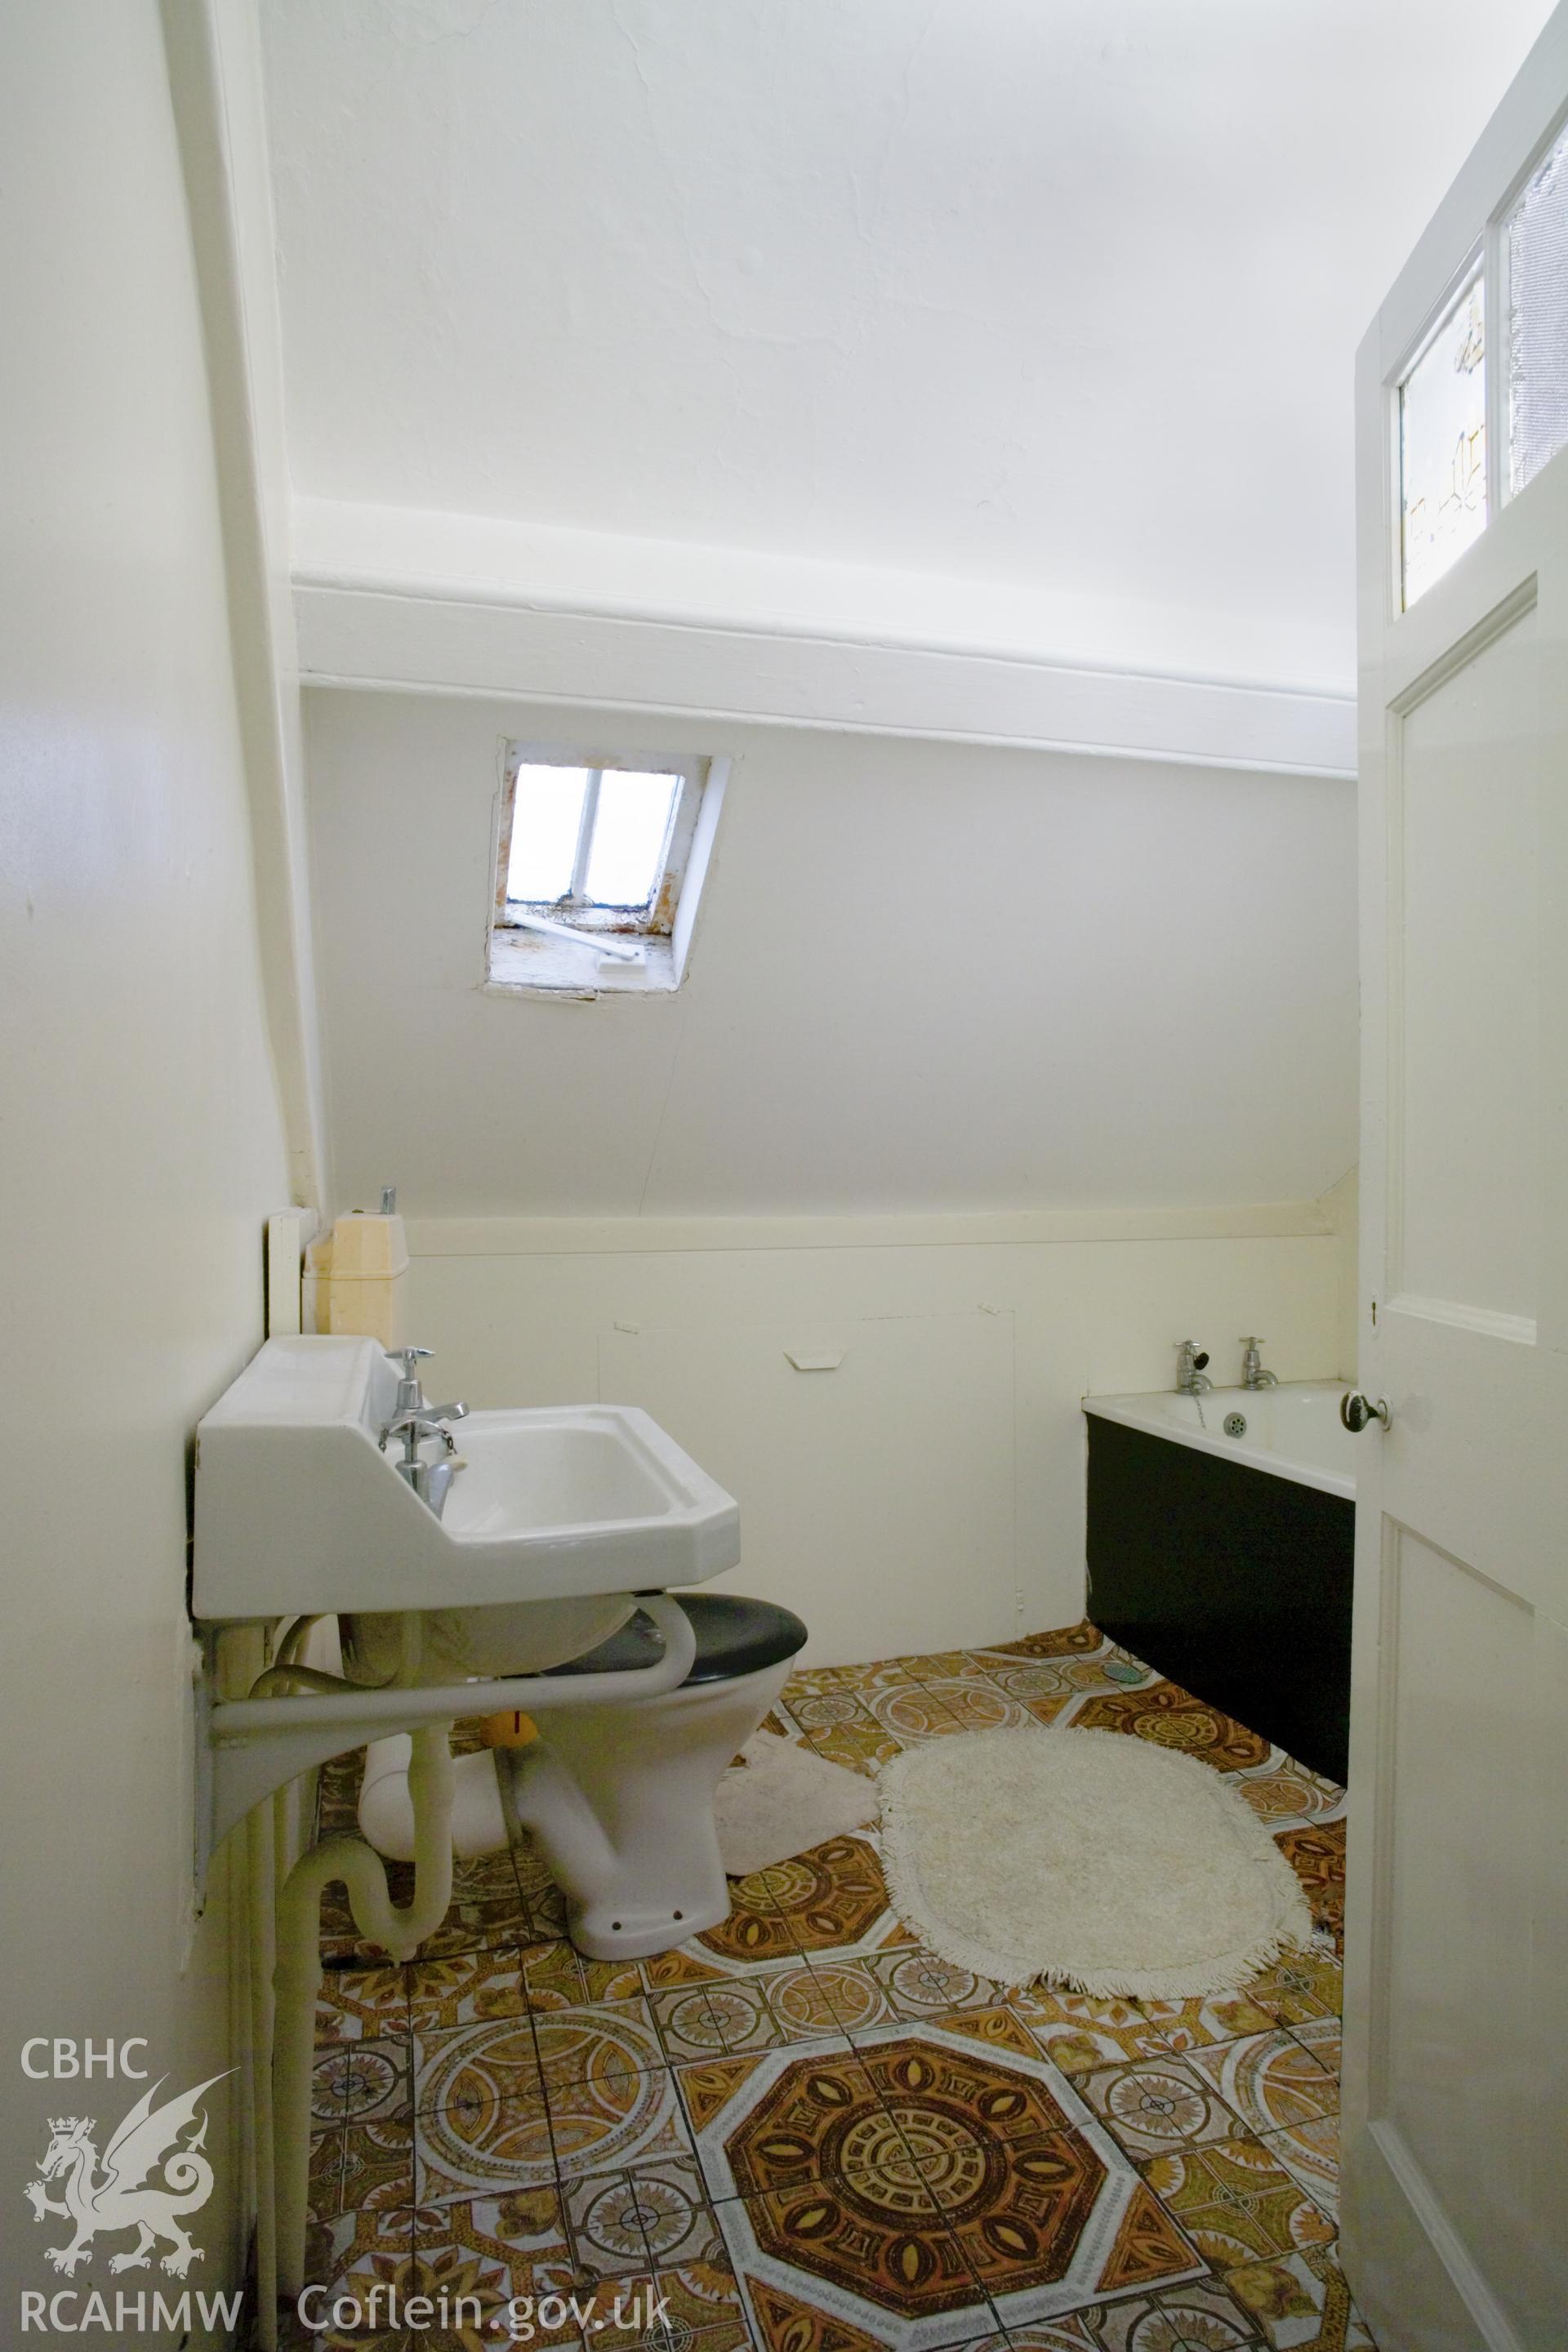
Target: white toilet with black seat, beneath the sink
column 617, row 1796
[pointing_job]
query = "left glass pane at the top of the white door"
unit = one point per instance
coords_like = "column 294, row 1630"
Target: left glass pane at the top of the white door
column 1442, row 446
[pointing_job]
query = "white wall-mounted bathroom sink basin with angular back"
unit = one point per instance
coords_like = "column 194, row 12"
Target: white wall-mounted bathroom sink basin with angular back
column 297, row 1509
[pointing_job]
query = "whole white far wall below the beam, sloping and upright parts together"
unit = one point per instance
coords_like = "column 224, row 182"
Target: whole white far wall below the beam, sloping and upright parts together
column 1033, row 1001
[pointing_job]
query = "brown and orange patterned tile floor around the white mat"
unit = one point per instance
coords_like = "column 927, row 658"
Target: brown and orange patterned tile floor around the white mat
column 803, row 2132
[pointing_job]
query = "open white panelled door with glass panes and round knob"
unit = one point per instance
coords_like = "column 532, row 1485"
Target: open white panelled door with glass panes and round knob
column 1456, row 2066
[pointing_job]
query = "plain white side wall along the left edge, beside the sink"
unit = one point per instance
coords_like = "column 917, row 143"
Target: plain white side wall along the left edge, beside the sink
column 142, row 1130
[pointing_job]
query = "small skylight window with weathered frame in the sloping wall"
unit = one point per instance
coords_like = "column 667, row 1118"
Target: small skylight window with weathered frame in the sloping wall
column 596, row 860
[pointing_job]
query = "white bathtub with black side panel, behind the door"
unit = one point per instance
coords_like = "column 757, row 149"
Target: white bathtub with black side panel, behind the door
column 1221, row 1539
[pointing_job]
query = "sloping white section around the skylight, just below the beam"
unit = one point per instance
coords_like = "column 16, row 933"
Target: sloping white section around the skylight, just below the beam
column 925, row 977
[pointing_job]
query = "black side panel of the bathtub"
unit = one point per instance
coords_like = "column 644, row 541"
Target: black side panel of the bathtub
column 1231, row 1582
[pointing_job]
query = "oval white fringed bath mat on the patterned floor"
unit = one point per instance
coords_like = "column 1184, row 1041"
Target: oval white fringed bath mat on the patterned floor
column 1090, row 1859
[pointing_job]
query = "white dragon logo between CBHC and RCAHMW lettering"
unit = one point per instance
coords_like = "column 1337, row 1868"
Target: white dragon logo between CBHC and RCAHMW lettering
column 123, row 2196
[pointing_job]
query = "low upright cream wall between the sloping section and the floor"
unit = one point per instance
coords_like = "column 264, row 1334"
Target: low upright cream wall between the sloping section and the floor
column 930, row 1492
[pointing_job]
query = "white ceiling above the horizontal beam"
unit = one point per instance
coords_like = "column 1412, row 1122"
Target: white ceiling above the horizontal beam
column 1057, row 295
